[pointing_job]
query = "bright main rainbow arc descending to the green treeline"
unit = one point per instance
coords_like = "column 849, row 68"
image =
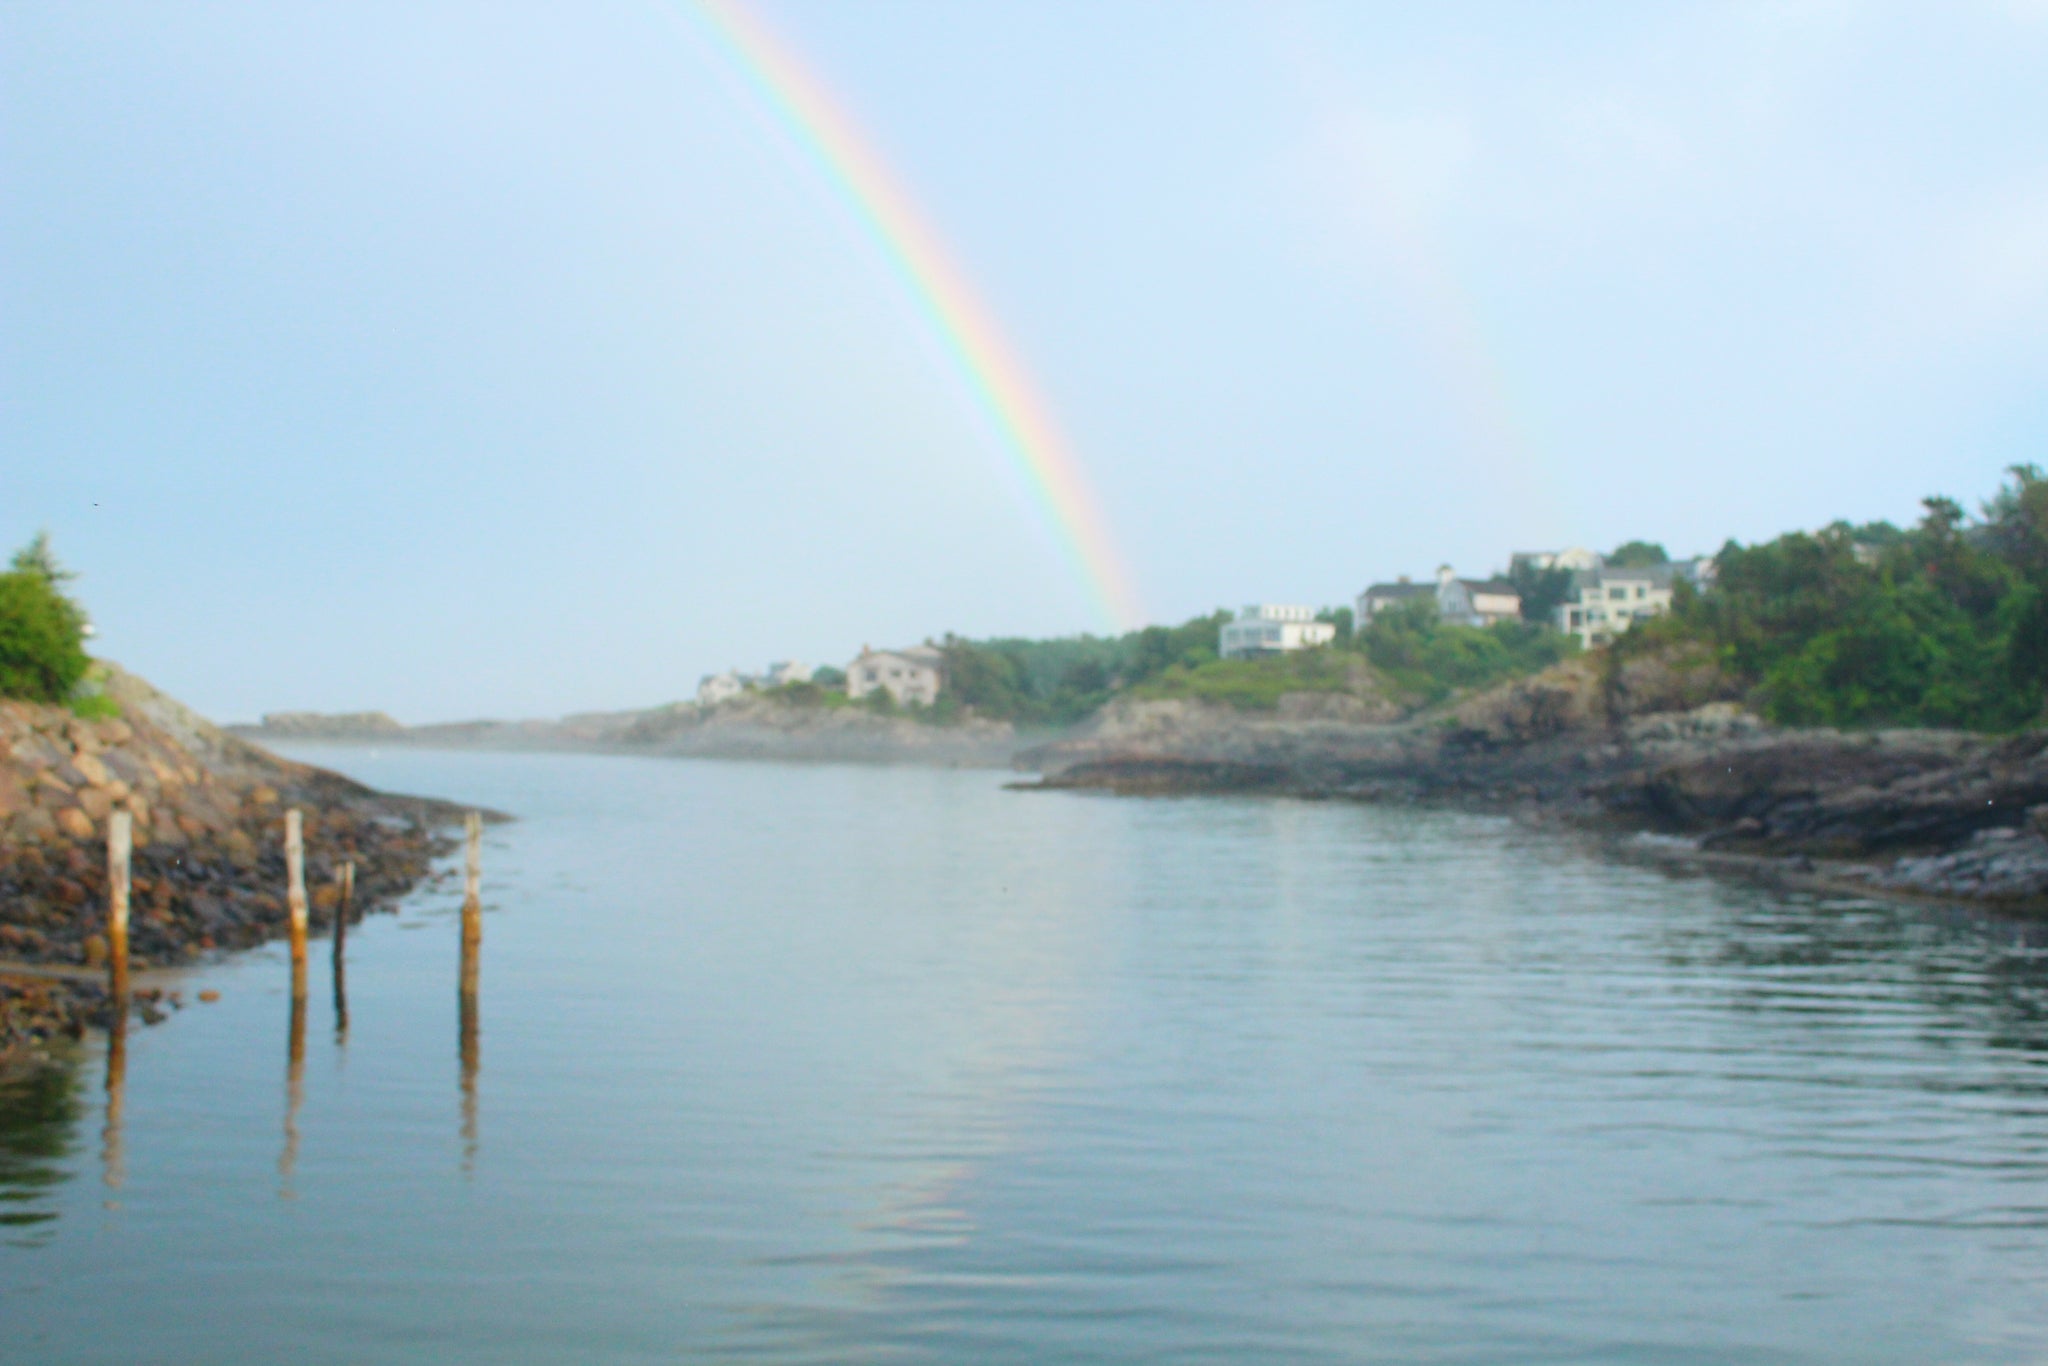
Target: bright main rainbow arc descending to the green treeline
column 998, row 384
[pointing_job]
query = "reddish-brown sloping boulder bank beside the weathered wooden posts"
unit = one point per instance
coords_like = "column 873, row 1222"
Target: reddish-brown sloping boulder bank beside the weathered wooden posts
column 208, row 871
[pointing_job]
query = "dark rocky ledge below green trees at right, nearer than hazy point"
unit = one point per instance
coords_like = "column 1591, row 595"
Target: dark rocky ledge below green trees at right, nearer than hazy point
column 1924, row 814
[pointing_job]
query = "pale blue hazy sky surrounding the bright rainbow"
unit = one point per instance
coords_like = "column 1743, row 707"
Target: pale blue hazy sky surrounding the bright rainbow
column 519, row 359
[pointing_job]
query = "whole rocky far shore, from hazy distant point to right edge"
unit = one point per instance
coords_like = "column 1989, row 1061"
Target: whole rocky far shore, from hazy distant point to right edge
column 1908, row 812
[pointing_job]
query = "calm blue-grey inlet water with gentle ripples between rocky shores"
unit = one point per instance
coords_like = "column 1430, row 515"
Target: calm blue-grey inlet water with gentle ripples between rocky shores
column 892, row 1066
